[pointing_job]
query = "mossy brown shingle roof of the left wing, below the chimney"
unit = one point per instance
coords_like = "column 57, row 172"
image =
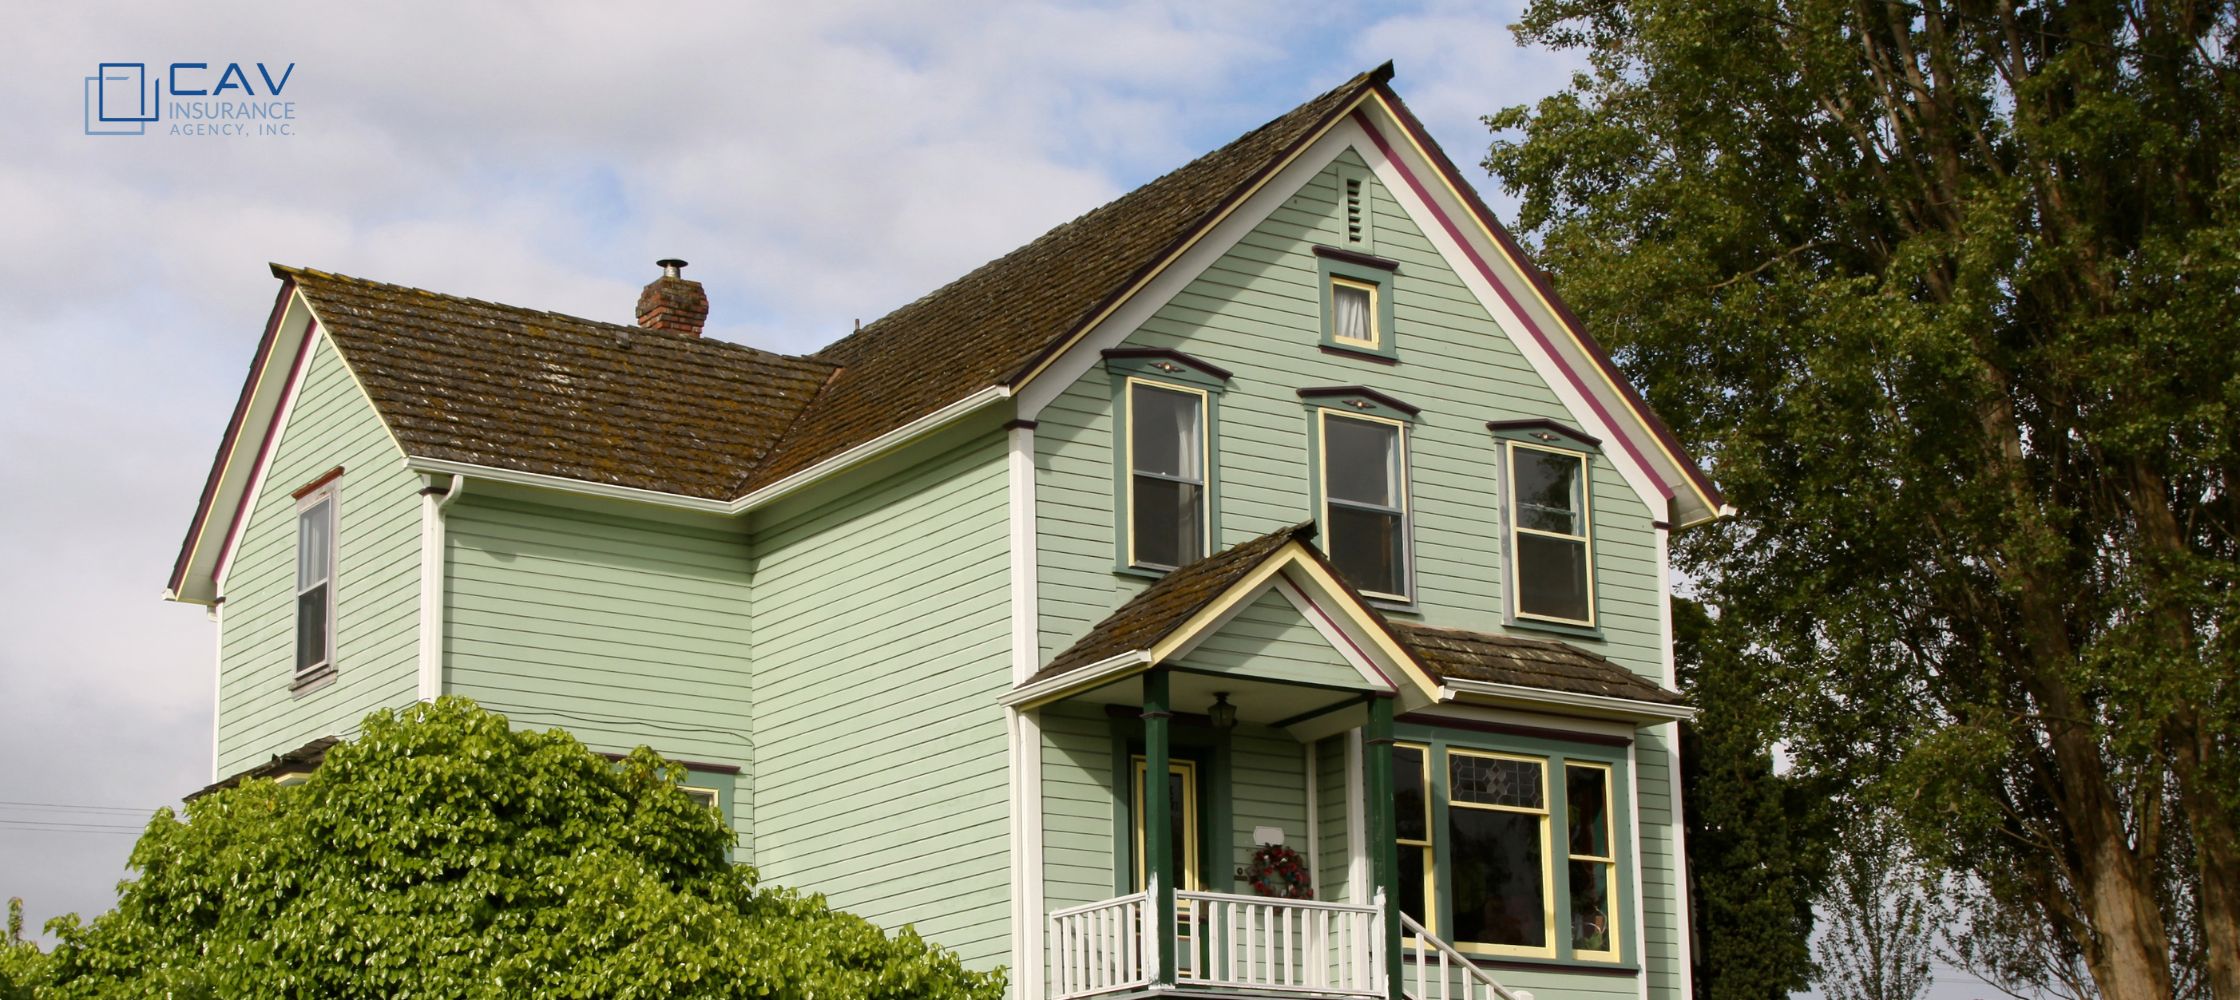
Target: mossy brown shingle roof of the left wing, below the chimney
column 543, row 393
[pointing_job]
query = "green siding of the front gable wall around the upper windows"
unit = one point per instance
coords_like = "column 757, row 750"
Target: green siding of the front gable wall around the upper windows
column 1258, row 313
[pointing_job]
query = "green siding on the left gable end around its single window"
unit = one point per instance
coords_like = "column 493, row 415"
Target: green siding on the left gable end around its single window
column 375, row 580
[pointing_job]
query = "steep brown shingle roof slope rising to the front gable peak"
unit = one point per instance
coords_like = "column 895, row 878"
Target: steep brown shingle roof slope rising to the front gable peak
column 998, row 322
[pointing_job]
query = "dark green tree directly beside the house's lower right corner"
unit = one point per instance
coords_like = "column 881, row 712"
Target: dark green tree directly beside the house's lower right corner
column 1755, row 840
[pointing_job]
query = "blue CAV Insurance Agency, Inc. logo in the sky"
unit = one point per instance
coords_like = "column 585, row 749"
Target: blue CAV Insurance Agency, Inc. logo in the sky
column 189, row 100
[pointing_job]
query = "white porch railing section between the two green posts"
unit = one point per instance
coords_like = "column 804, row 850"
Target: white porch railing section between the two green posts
column 1285, row 945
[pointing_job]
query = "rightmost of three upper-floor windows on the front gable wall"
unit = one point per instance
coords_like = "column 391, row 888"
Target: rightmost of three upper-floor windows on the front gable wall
column 1551, row 546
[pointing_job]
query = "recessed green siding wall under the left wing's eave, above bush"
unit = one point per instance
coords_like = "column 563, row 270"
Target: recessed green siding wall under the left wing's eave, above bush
column 617, row 629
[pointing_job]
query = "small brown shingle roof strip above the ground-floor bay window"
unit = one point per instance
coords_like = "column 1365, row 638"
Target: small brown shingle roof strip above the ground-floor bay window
column 1527, row 663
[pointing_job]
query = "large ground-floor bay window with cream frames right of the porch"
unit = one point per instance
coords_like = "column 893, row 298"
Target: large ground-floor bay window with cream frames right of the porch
column 1480, row 855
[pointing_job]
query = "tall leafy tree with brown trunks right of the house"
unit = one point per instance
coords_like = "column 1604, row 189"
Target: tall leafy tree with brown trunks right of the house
column 1948, row 295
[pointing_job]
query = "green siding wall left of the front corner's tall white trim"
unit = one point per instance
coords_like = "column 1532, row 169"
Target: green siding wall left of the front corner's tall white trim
column 881, row 645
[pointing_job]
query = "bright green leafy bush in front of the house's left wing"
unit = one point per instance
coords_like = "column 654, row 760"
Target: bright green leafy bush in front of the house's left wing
column 449, row 855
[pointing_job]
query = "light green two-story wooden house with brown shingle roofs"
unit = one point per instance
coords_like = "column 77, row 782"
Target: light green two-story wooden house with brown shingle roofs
column 1282, row 490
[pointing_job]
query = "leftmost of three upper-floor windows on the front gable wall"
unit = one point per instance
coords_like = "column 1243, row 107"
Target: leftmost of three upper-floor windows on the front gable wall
column 1166, row 476
